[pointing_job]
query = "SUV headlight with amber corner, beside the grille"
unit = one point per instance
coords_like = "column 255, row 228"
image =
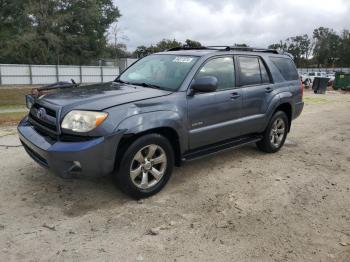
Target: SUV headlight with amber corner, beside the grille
column 83, row 121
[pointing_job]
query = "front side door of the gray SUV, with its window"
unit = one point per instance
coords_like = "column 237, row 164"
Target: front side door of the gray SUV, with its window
column 212, row 115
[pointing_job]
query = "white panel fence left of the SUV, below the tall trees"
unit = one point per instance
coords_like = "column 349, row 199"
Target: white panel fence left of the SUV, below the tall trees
column 46, row 74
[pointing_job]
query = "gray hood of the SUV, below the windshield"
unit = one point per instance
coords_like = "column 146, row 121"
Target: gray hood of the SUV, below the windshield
column 100, row 96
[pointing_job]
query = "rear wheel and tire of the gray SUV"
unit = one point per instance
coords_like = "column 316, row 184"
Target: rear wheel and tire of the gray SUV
column 273, row 133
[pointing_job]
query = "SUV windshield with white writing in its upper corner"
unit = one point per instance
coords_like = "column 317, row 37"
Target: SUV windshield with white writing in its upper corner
column 159, row 71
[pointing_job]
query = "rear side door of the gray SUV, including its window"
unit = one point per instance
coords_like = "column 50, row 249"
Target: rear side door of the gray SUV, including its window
column 258, row 91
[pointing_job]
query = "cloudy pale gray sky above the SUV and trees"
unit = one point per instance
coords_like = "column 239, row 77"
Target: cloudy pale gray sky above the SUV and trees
column 224, row 22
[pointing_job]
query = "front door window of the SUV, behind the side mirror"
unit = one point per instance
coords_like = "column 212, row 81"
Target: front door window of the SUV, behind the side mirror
column 223, row 69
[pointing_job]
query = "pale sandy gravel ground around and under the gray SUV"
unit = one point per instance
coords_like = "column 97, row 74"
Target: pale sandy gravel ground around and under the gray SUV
column 241, row 205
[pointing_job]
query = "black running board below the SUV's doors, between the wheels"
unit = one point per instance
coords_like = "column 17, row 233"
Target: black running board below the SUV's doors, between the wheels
column 220, row 147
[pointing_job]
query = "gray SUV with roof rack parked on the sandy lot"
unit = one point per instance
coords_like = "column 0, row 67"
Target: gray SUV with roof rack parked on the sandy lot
column 165, row 109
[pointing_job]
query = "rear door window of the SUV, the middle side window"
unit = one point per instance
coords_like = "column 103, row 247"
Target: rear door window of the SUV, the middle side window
column 249, row 71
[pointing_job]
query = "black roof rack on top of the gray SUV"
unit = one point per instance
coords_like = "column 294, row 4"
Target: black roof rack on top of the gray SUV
column 228, row 48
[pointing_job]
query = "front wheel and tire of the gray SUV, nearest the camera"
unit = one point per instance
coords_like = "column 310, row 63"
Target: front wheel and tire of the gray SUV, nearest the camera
column 139, row 174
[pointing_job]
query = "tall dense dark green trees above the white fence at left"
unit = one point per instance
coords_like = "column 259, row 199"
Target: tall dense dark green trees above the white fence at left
column 56, row 31
